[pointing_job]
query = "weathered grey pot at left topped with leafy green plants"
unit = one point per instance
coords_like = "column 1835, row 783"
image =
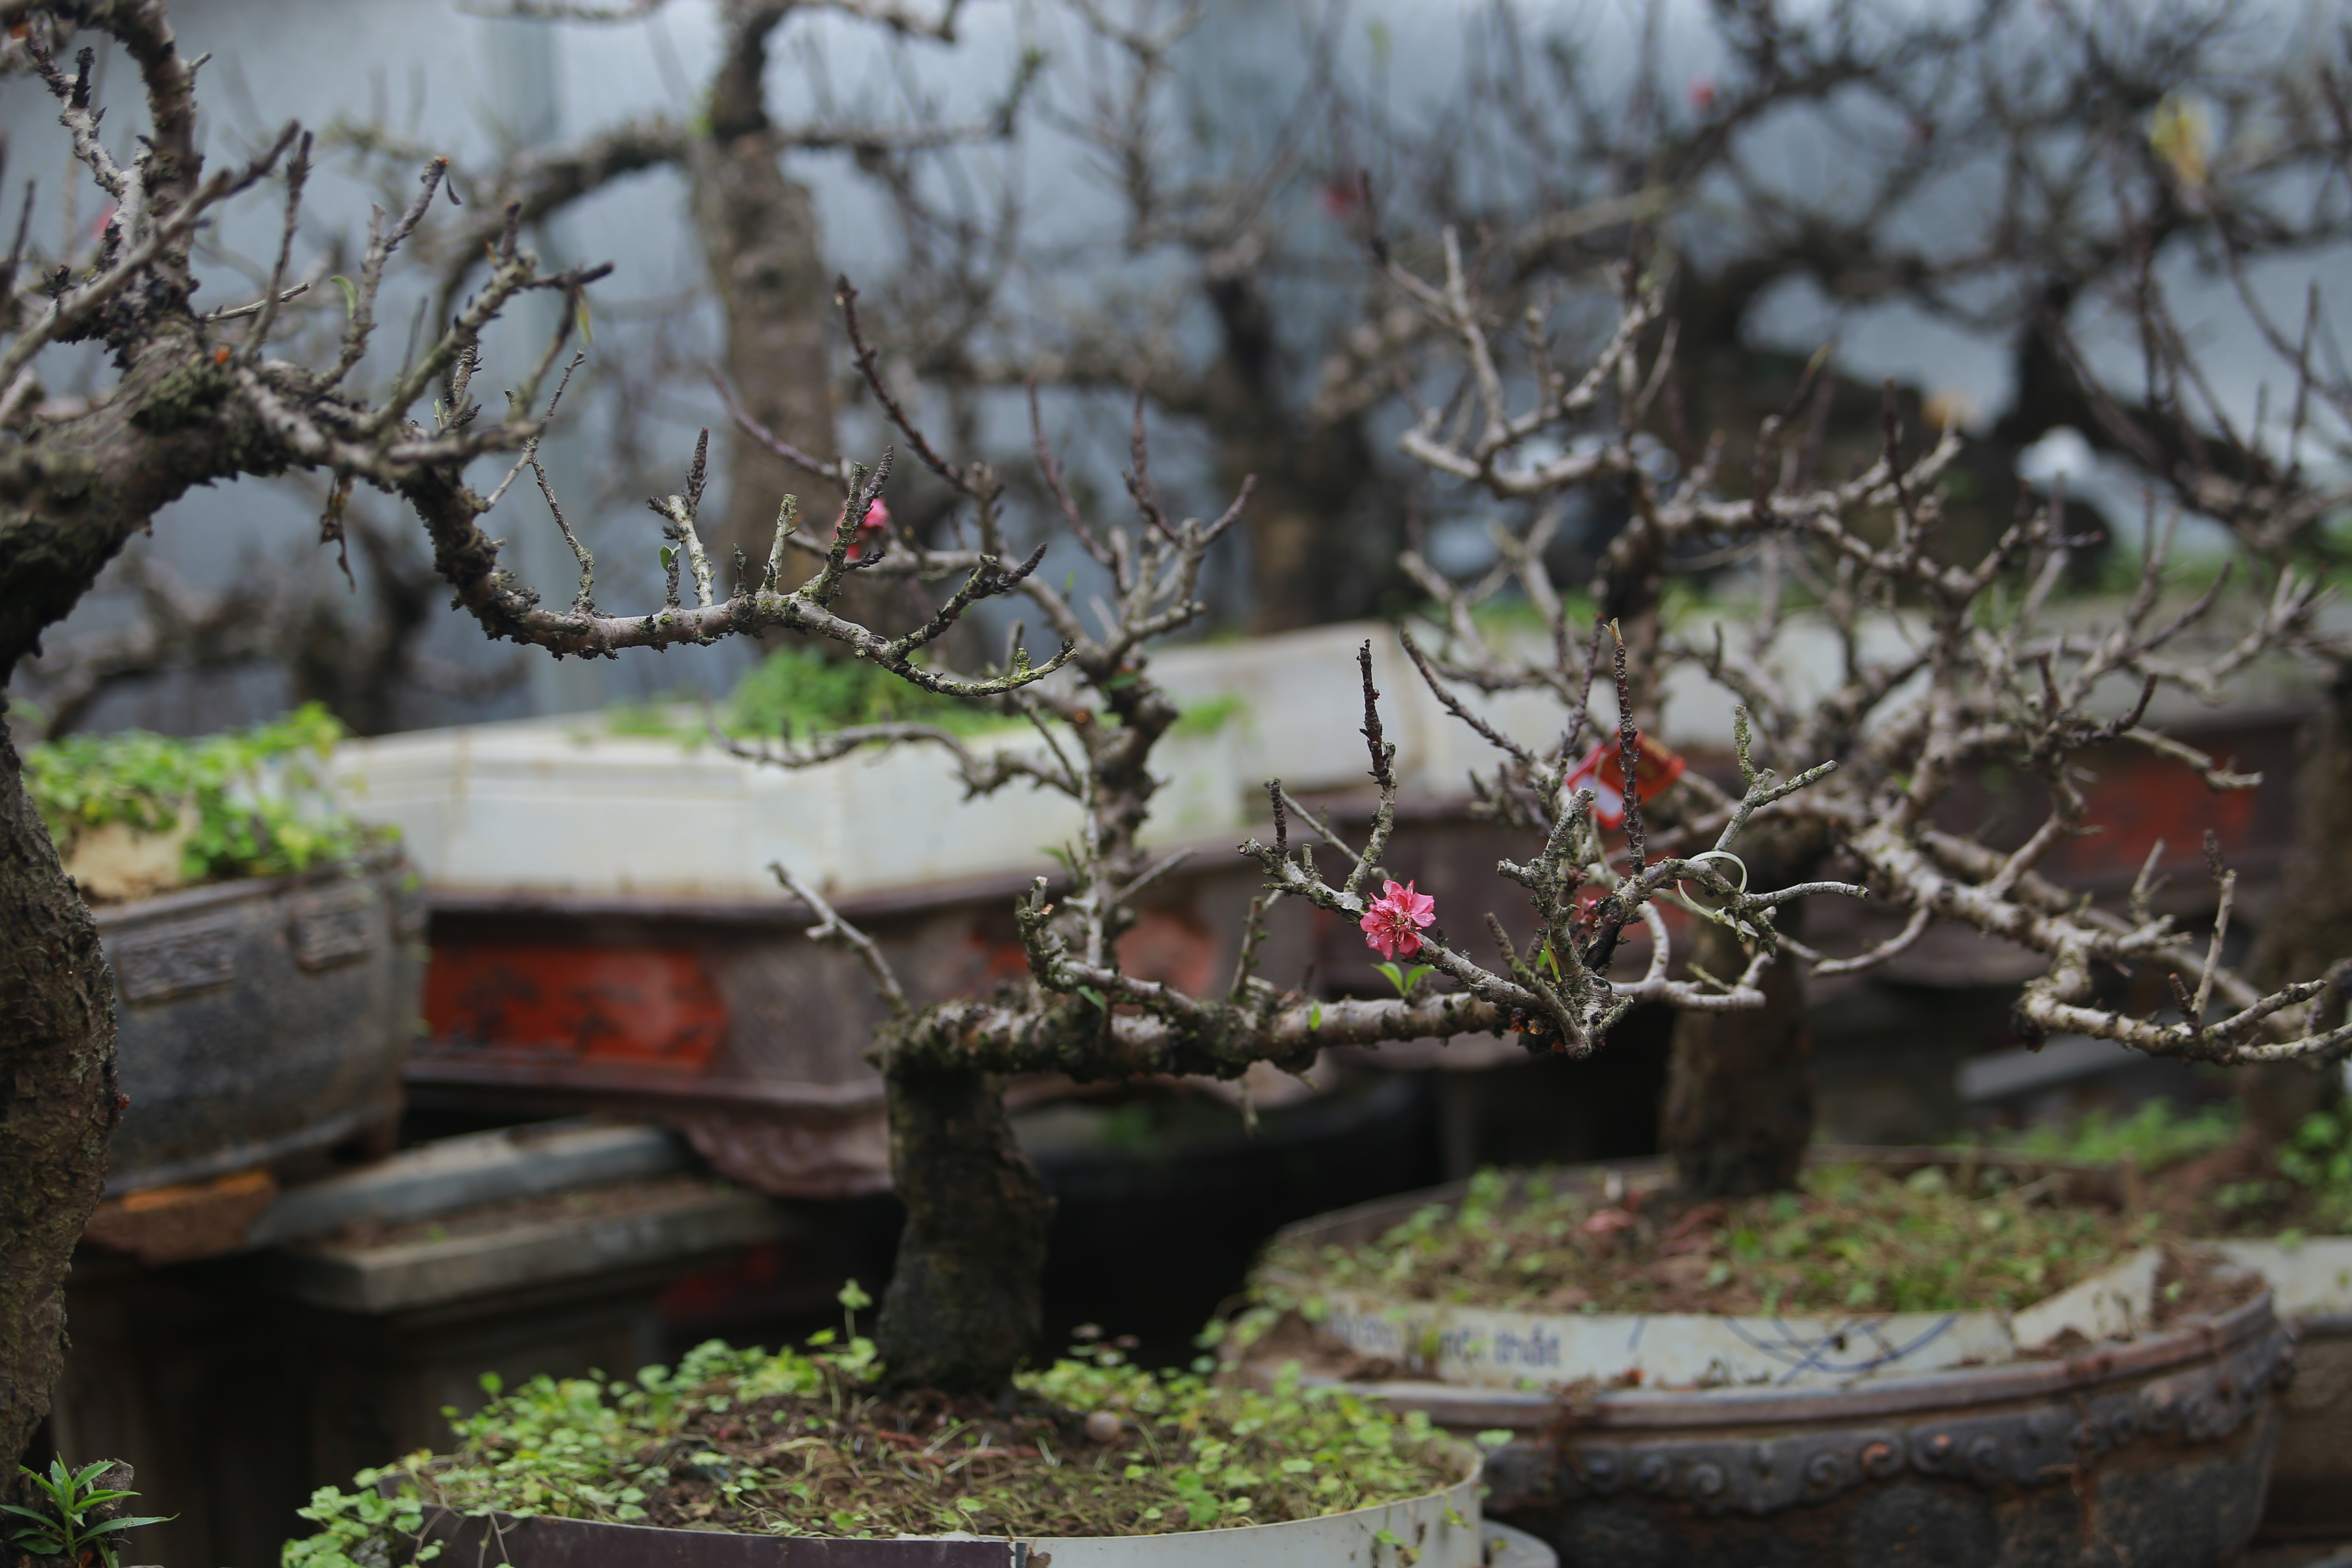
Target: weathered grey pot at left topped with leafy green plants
column 267, row 953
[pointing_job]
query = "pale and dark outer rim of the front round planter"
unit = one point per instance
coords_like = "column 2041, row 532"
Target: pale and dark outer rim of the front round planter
column 1431, row 1532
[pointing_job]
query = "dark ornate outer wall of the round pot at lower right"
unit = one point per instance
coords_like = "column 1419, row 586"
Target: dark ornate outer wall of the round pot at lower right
column 2146, row 1452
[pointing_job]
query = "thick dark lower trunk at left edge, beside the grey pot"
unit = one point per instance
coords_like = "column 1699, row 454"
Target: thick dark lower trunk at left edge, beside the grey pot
column 58, row 1064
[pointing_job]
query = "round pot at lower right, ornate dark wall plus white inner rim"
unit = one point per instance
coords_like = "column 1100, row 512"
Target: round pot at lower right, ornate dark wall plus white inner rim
column 1826, row 1449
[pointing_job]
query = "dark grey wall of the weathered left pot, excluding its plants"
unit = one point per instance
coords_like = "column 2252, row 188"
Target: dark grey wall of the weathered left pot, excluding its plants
column 260, row 1019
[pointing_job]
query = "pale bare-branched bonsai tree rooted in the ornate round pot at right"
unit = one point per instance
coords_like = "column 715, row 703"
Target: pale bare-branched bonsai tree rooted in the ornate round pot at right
column 1939, row 669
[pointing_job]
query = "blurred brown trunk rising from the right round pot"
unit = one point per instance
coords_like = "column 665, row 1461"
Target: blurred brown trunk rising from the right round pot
column 1739, row 1087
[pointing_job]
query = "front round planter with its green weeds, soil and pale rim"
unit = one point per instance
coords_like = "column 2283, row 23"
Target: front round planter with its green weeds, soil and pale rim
column 808, row 1459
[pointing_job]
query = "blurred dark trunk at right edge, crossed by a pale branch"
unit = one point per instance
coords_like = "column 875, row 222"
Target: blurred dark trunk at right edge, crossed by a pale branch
column 2313, row 920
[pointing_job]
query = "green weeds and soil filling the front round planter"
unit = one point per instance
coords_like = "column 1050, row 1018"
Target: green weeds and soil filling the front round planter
column 803, row 1442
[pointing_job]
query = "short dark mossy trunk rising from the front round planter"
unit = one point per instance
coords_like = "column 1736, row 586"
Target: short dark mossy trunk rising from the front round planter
column 965, row 1301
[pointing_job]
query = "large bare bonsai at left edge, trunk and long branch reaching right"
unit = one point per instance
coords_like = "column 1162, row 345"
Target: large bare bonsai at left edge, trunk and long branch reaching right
column 201, row 394
